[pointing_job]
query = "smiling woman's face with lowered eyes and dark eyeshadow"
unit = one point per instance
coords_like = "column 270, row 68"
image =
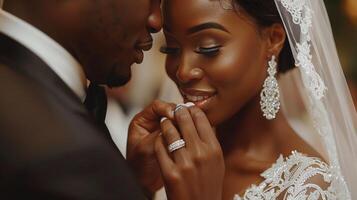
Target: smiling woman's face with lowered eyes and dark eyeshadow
column 216, row 57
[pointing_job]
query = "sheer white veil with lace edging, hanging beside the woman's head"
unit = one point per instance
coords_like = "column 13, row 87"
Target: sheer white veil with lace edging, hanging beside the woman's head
column 328, row 120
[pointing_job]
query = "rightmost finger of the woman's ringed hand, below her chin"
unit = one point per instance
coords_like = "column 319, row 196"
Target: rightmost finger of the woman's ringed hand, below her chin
column 203, row 126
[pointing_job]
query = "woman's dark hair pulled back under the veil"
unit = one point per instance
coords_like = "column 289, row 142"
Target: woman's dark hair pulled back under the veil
column 264, row 13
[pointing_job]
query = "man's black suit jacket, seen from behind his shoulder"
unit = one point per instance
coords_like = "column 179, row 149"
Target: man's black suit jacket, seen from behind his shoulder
column 50, row 147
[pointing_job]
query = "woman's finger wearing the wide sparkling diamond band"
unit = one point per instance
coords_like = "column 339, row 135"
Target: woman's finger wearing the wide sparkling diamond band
column 171, row 135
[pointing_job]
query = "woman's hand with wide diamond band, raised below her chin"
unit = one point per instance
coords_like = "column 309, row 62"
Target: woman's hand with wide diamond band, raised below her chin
column 195, row 171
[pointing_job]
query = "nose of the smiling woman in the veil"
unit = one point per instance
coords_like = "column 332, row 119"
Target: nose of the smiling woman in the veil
column 186, row 72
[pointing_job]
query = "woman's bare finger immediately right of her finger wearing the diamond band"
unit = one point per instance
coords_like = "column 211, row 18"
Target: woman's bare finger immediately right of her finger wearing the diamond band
column 187, row 127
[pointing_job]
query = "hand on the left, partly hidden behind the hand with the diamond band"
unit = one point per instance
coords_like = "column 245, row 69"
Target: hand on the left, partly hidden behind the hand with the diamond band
column 143, row 131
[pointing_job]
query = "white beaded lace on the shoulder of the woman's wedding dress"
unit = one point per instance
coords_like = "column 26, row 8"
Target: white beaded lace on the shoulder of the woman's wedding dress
column 289, row 179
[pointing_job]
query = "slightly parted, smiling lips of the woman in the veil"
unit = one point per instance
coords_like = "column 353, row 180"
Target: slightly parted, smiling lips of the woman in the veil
column 201, row 98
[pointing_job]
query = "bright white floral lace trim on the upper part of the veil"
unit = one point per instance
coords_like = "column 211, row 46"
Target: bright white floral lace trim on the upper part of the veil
column 302, row 16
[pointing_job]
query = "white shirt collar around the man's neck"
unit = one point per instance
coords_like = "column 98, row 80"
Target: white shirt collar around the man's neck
column 53, row 54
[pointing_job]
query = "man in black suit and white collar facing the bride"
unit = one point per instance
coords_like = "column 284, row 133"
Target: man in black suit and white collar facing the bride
column 51, row 145
